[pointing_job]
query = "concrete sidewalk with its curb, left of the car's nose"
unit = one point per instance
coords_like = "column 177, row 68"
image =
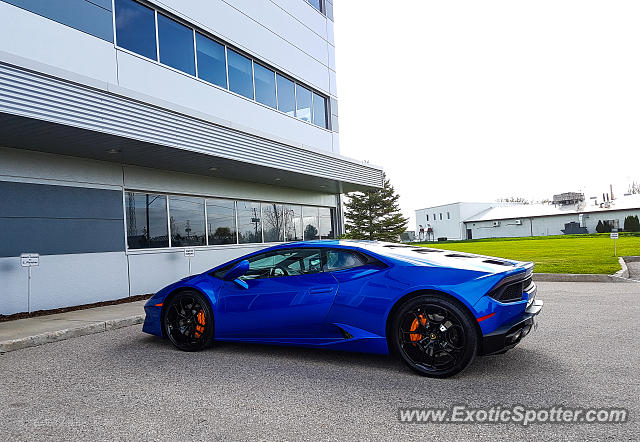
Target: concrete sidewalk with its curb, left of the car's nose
column 30, row 332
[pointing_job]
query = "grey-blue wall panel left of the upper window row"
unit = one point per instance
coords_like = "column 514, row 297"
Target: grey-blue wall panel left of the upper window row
column 91, row 16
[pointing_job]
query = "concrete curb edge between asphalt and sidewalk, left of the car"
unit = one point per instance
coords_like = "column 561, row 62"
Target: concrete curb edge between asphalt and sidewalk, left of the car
column 61, row 335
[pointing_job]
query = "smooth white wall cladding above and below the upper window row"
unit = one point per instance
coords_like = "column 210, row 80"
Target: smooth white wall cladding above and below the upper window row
column 289, row 35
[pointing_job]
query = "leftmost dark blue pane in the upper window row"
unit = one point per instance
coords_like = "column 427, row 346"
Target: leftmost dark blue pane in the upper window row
column 136, row 28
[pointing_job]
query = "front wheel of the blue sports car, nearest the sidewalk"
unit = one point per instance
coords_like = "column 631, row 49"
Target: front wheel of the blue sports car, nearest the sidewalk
column 188, row 321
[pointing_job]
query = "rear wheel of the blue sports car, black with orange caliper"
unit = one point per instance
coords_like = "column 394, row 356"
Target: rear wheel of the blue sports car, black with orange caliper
column 434, row 336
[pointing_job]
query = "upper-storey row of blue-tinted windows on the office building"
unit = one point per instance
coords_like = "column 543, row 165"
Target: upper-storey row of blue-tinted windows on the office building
column 217, row 63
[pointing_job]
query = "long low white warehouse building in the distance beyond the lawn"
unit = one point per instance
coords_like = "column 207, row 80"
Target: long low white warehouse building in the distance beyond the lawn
column 462, row 220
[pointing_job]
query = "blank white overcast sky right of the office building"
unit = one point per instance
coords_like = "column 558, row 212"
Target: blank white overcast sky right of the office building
column 477, row 100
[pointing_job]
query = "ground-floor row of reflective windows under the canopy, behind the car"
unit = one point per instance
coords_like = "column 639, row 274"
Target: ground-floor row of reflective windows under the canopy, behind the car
column 198, row 221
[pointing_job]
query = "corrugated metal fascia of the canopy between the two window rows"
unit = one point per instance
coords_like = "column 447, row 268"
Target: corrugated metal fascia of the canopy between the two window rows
column 35, row 95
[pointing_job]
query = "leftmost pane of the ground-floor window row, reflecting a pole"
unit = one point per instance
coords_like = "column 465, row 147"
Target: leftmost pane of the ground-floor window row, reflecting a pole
column 146, row 220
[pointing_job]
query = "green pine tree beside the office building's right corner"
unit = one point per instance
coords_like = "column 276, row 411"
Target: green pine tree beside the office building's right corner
column 374, row 214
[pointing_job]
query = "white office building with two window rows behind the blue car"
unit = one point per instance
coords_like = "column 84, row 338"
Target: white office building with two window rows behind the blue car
column 133, row 131
